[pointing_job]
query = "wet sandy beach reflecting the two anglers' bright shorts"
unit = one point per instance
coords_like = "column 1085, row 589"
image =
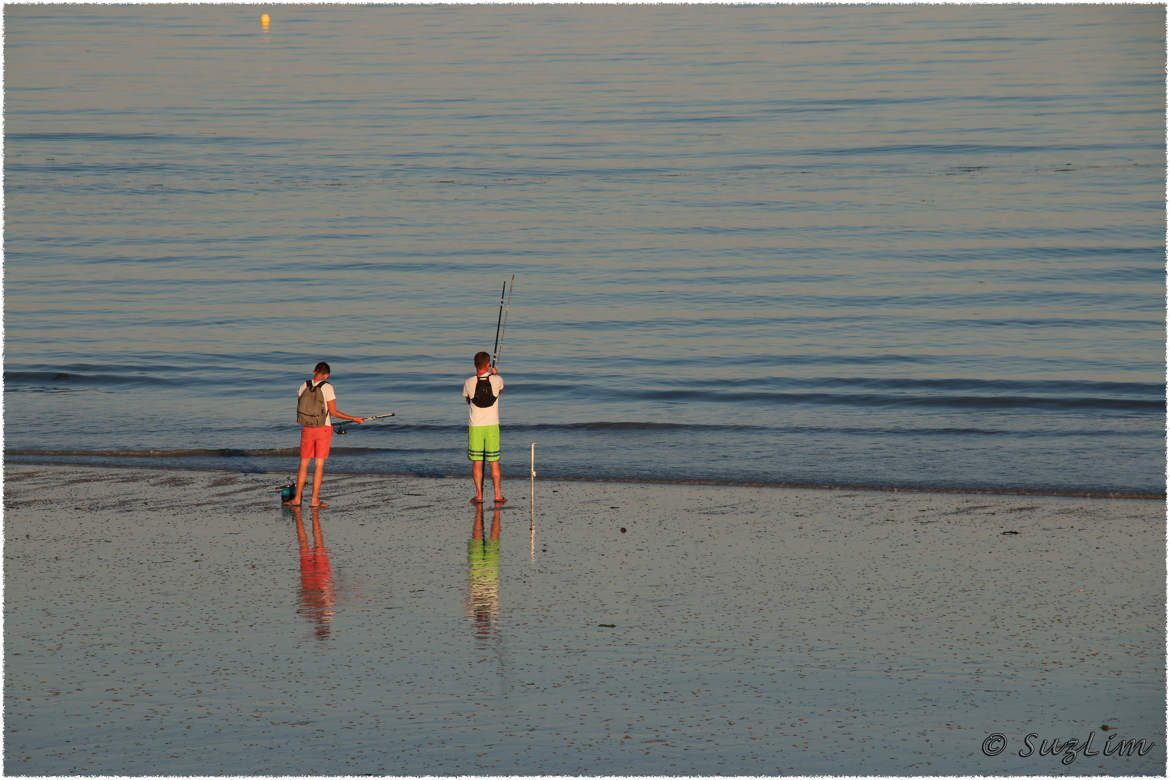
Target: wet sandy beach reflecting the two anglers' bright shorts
column 182, row 623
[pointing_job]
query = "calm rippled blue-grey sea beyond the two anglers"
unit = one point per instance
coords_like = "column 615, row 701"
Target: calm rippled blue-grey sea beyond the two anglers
column 879, row 246
